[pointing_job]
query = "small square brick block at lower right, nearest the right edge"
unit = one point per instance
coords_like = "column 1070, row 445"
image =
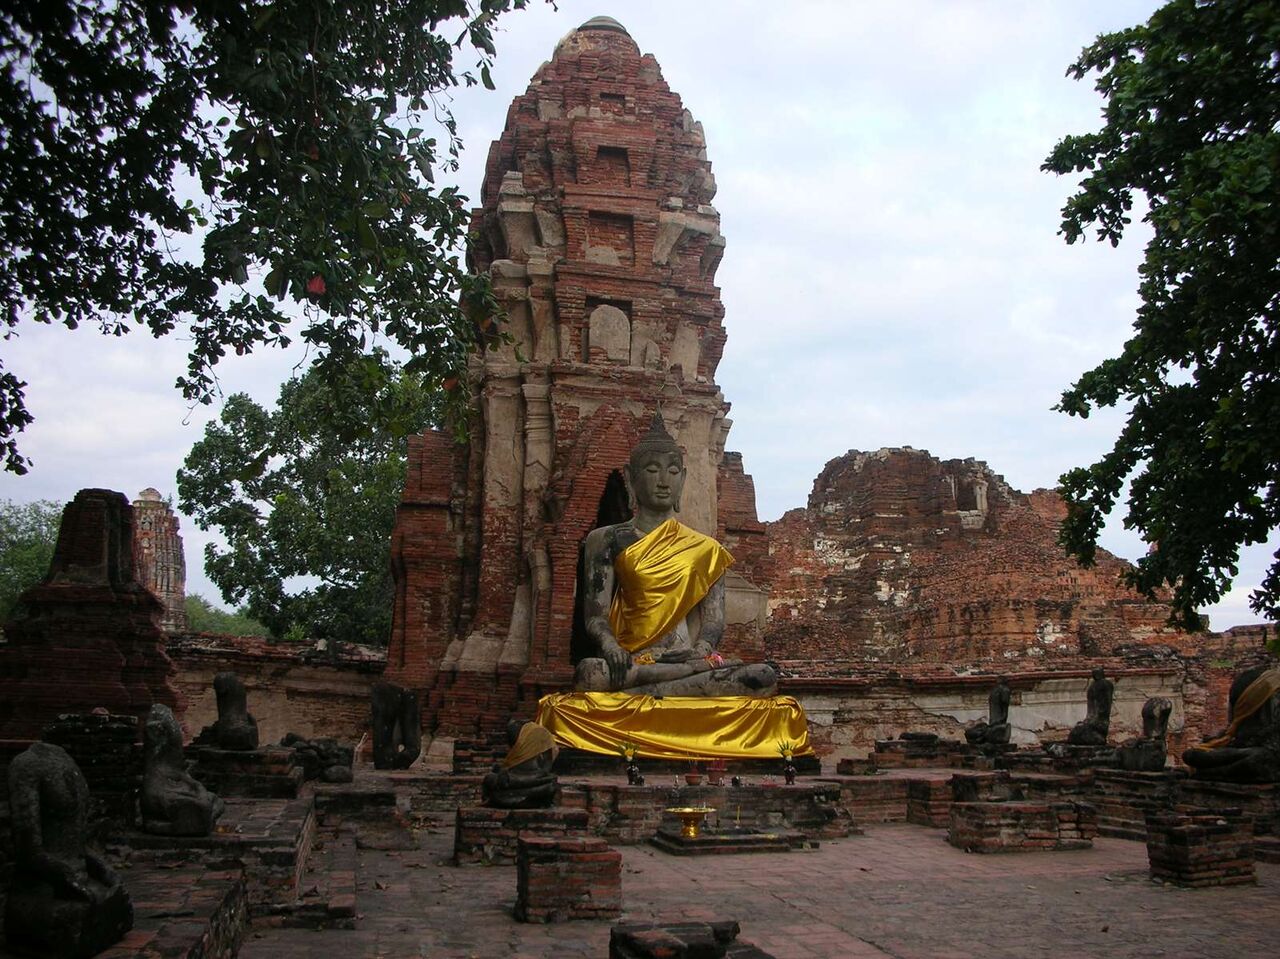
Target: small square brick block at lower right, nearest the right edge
column 1197, row 848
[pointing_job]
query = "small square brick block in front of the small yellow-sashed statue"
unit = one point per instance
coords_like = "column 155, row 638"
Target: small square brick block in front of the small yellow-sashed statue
column 560, row 879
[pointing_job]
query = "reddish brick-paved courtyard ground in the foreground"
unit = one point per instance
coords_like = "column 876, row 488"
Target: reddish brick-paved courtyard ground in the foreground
column 895, row 892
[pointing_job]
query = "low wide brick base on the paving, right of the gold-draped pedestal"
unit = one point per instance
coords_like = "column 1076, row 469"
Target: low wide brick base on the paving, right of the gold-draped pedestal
column 1017, row 828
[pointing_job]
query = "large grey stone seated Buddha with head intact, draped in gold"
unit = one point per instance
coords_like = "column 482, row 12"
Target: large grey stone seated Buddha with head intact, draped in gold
column 653, row 599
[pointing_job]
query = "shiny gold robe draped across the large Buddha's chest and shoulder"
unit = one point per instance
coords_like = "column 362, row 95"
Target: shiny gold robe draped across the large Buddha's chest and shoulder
column 661, row 578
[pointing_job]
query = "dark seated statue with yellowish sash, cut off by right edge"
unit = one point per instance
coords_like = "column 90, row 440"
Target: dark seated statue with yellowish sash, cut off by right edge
column 1249, row 751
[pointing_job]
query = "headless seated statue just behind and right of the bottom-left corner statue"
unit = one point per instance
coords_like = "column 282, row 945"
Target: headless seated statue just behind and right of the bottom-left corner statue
column 173, row 802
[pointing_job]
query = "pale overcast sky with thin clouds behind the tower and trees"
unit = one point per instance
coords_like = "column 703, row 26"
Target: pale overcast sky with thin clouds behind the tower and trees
column 893, row 273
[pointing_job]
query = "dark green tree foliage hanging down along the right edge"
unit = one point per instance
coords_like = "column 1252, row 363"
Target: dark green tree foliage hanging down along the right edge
column 1191, row 121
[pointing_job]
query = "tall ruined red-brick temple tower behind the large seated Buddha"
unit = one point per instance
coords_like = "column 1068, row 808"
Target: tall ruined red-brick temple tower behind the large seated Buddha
column 598, row 232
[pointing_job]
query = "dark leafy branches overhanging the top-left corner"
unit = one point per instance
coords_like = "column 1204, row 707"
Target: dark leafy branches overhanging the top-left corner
column 298, row 127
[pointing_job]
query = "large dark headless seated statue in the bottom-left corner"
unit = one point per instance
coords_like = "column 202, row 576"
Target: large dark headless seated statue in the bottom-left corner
column 65, row 903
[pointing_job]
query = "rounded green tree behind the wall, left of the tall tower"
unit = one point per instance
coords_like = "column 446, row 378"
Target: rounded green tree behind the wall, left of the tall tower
column 310, row 491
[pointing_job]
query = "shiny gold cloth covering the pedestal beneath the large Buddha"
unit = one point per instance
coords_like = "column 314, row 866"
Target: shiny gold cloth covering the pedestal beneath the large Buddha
column 676, row 728
